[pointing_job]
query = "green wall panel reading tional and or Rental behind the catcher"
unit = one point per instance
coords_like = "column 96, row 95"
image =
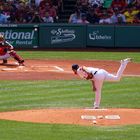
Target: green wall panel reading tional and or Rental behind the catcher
column 21, row 36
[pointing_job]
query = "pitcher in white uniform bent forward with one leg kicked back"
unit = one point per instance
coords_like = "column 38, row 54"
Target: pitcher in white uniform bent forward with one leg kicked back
column 98, row 76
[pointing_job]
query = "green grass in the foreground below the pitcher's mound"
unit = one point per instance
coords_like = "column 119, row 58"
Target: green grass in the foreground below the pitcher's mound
column 11, row 130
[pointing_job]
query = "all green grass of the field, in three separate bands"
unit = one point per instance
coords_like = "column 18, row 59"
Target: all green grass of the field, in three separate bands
column 21, row 95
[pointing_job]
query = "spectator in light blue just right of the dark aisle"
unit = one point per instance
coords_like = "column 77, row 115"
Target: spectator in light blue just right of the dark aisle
column 75, row 16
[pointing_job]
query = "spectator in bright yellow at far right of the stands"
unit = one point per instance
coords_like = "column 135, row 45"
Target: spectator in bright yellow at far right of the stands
column 130, row 13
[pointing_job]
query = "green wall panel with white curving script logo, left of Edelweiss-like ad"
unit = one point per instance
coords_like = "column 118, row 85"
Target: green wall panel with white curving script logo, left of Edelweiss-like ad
column 62, row 36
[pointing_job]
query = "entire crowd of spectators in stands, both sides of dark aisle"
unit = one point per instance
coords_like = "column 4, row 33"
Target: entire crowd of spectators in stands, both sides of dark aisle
column 86, row 11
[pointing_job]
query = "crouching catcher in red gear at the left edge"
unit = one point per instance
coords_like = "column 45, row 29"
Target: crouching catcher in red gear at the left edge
column 7, row 51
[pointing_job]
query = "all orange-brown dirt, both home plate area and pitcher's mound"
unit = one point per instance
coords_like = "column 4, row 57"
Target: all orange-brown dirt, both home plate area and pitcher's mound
column 61, row 70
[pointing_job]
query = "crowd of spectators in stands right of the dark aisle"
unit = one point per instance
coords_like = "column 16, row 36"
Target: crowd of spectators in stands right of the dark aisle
column 119, row 12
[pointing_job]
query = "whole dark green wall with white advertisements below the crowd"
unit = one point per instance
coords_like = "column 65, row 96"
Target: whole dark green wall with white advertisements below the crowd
column 71, row 35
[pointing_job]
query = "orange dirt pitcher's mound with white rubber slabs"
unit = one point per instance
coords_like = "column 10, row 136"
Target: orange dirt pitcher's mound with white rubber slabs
column 101, row 117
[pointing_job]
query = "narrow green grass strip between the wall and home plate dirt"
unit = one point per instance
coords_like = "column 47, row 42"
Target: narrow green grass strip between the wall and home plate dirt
column 80, row 55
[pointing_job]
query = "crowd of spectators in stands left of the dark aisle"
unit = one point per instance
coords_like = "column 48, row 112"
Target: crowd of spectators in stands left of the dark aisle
column 29, row 11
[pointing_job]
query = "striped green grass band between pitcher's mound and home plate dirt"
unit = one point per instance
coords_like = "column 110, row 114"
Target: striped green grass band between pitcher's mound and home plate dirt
column 18, row 95
